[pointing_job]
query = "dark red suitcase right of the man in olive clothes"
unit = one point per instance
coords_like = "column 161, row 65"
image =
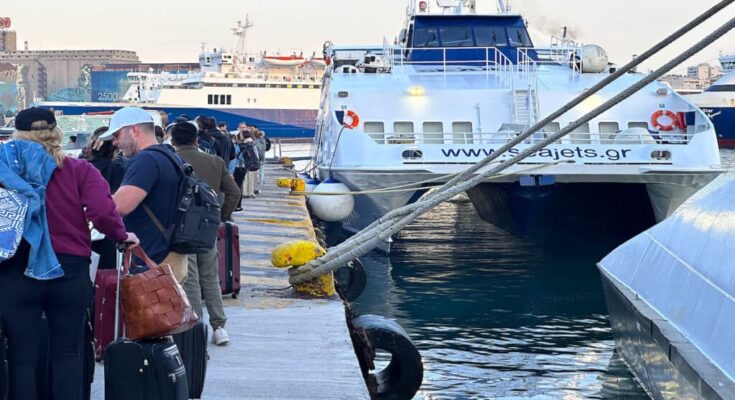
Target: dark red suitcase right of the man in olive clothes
column 228, row 247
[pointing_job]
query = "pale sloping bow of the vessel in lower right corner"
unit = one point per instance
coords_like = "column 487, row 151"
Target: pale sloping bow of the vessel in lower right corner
column 671, row 299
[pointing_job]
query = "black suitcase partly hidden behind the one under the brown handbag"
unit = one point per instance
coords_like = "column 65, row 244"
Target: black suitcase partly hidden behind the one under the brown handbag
column 192, row 345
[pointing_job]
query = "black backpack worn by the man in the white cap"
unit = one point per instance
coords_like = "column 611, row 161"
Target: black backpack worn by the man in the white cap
column 198, row 213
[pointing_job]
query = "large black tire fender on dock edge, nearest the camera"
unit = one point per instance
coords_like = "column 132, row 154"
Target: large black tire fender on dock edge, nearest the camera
column 402, row 378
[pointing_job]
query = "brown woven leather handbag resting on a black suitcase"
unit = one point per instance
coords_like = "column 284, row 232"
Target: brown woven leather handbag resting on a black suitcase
column 154, row 304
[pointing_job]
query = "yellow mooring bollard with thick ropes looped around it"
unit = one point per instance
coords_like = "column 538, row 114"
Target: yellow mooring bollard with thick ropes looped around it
column 298, row 253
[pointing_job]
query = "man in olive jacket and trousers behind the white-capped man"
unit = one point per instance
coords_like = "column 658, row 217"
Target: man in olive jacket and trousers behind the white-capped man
column 203, row 274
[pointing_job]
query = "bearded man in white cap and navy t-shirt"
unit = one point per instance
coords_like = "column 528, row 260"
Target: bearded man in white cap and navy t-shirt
column 147, row 196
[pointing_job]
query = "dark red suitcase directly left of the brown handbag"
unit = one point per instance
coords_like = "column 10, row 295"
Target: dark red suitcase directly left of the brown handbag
column 105, row 287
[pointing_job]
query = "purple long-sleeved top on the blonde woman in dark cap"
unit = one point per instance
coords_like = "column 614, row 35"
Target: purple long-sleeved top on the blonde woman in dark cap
column 74, row 186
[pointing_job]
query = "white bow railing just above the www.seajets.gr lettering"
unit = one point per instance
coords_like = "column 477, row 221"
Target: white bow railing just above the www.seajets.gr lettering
column 499, row 138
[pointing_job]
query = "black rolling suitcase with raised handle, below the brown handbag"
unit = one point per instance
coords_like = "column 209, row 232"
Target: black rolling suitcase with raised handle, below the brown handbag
column 144, row 369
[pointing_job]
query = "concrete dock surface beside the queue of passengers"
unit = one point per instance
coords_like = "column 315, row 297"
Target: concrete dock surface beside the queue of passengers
column 281, row 347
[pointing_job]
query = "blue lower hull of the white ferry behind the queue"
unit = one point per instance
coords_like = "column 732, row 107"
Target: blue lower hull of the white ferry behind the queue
column 275, row 123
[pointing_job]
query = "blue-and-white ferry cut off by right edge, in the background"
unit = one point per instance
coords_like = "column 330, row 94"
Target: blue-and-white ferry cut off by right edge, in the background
column 718, row 101
